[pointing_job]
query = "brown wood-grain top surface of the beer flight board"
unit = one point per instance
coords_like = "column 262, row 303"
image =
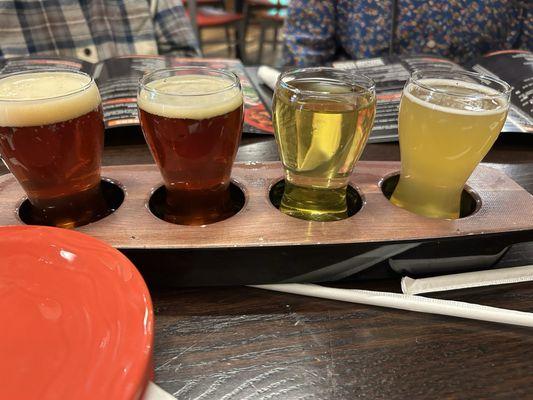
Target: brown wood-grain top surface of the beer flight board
column 505, row 207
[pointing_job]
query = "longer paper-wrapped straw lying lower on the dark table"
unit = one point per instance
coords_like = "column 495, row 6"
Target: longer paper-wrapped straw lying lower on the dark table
column 408, row 302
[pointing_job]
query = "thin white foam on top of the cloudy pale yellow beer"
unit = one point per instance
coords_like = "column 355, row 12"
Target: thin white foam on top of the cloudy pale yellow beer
column 463, row 94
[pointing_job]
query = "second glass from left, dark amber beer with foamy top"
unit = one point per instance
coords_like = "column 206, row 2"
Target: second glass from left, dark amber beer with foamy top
column 192, row 120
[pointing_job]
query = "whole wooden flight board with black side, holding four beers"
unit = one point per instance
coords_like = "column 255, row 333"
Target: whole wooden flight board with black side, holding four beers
column 260, row 244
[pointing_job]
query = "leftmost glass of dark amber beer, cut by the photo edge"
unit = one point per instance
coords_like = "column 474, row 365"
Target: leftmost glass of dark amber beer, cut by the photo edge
column 51, row 139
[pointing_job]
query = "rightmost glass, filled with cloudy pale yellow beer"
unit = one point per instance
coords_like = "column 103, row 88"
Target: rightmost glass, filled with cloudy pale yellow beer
column 448, row 122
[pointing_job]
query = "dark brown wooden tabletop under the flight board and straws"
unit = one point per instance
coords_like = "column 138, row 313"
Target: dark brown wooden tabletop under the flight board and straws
column 244, row 343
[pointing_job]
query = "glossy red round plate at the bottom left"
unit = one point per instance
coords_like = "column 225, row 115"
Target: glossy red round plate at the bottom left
column 77, row 320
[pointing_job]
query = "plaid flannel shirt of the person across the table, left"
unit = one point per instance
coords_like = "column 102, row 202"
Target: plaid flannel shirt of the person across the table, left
column 94, row 30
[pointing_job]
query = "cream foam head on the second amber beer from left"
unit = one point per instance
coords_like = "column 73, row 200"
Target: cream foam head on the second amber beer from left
column 189, row 97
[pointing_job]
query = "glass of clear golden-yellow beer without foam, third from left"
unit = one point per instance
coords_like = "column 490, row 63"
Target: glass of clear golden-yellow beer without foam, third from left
column 322, row 119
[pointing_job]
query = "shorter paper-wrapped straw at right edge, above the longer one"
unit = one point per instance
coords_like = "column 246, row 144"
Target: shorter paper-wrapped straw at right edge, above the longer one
column 467, row 280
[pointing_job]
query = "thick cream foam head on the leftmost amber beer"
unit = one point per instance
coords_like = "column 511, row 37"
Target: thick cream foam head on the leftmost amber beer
column 41, row 98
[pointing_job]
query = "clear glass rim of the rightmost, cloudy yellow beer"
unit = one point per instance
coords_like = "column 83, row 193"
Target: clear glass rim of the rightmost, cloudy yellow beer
column 415, row 78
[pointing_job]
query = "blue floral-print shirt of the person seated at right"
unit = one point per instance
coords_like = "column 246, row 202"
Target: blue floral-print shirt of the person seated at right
column 461, row 30
